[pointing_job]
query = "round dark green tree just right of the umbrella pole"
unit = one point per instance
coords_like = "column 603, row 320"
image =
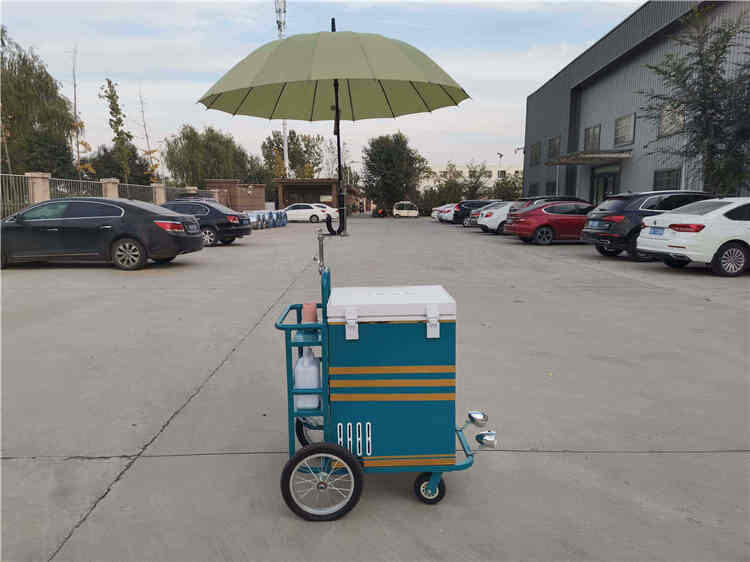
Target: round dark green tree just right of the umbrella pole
column 392, row 169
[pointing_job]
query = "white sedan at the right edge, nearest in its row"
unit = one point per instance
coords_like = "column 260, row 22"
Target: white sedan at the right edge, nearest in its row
column 715, row 232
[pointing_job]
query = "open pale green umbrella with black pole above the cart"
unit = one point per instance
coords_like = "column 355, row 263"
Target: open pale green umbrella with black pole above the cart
column 334, row 76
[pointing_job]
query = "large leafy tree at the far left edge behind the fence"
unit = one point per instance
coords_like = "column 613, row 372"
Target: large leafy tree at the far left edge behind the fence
column 37, row 120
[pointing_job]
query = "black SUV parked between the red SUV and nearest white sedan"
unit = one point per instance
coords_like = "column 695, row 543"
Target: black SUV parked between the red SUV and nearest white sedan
column 614, row 225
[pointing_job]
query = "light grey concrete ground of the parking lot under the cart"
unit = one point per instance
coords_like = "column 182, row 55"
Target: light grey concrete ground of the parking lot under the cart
column 143, row 413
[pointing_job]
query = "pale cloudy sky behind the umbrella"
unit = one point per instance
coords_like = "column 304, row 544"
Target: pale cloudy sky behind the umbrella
column 498, row 52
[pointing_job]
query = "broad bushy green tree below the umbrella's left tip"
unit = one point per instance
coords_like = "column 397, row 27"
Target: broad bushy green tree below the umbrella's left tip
column 192, row 157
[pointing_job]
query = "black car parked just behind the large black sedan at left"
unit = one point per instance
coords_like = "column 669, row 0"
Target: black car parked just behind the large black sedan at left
column 218, row 223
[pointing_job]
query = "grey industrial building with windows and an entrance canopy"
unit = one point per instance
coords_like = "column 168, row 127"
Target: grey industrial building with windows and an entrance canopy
column 585, row 131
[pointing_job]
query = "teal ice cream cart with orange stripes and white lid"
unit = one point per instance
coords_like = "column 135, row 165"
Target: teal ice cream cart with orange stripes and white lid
column 381, row 398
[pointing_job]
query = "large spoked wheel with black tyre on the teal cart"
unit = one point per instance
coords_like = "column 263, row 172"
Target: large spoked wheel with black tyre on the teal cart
column 322, row 482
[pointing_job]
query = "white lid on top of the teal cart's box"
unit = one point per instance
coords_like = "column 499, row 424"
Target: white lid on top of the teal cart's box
column 383, row 303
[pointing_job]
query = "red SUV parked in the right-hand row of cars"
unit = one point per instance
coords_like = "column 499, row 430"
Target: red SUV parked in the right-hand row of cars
column 545, row 222
